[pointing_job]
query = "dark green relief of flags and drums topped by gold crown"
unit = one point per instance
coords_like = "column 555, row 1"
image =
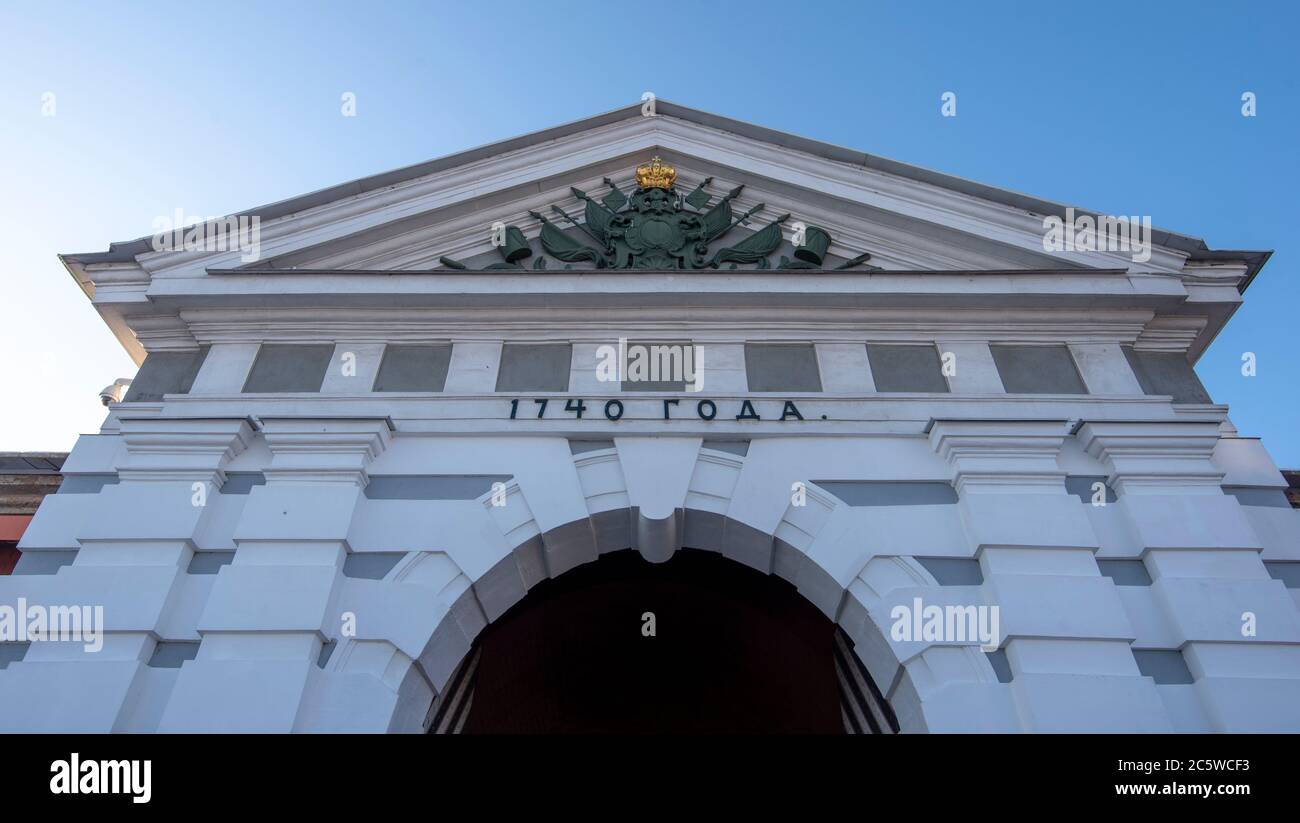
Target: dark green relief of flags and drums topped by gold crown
column 660, row 229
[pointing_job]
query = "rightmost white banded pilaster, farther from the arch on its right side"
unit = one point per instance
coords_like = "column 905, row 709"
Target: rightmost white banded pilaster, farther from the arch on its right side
column 1237, row 629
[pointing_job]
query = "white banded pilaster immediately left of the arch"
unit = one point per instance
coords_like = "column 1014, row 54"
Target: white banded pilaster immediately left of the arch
column 272, row 609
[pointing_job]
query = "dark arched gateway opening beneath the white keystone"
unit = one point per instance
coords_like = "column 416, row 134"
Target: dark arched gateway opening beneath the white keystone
column 734, row 651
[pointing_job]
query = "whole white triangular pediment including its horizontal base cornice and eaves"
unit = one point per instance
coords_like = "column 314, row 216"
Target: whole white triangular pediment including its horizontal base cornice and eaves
column 928, row 232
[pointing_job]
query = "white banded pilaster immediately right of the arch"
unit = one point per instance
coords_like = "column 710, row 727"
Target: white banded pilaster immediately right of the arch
column 1064, row 629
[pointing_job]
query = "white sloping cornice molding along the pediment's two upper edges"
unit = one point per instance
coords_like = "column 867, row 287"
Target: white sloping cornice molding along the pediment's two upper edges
column 679, row 140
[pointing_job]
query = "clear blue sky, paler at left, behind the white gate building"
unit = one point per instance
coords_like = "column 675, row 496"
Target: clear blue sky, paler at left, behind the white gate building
column 1128, row 109
